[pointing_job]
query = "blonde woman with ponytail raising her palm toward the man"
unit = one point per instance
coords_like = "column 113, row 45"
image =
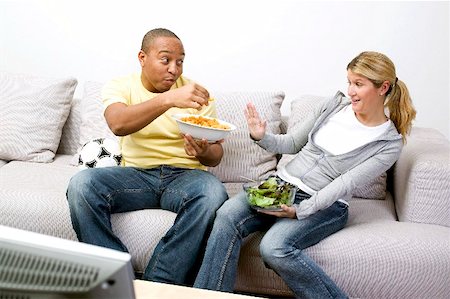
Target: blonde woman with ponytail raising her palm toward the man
column 345, row 144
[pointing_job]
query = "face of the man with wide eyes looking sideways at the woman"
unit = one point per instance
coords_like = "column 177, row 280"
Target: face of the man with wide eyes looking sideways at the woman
column 162, row 65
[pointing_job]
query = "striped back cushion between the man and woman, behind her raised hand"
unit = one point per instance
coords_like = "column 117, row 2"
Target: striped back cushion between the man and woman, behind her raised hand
column 241, row 156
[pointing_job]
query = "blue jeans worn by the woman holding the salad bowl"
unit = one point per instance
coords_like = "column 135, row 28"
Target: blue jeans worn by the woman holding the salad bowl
column 281, row 247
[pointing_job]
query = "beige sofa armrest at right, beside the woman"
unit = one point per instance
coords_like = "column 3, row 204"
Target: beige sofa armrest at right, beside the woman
column 421, row 178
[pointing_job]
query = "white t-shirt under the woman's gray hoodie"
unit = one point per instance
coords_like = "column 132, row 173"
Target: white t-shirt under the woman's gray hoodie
column 343, row 132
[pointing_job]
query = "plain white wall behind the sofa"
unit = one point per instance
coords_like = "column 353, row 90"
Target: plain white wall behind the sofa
column 295, row 46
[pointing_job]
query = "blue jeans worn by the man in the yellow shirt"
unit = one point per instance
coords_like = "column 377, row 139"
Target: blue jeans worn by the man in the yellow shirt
column 195, row 195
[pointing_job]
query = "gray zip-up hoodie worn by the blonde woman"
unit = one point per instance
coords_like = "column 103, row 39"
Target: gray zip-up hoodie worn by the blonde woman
column 333, row 177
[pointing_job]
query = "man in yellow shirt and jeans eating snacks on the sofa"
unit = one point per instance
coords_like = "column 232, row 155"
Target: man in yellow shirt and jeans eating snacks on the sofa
column 162, row 169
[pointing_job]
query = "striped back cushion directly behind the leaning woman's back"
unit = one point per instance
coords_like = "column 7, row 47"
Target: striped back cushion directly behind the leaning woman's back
column 301, row 108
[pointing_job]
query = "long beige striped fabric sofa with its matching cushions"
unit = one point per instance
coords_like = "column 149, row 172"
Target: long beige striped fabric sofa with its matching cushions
column 396, row 243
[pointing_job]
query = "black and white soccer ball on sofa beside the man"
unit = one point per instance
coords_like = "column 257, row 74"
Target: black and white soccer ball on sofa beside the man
column 101, row 152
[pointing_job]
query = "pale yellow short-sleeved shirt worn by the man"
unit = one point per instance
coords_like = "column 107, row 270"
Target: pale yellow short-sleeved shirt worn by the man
column 159, row 143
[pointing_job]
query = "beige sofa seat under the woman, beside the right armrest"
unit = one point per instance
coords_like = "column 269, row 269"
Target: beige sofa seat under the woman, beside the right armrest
column 401, row 257
